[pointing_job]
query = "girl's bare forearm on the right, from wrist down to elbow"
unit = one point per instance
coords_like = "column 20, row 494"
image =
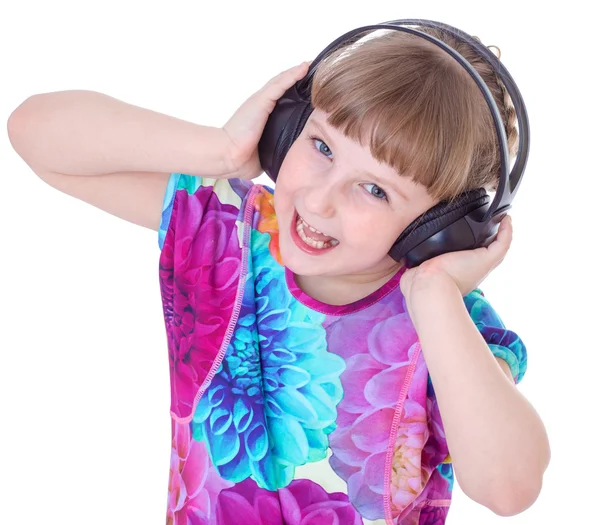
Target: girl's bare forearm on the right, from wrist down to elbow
column 497, row 441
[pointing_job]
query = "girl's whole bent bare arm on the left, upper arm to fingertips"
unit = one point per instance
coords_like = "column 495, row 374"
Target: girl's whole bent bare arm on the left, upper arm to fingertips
column 118, row 157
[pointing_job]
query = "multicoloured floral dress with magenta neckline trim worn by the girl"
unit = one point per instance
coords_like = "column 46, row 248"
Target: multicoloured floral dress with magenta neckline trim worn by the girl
column 286, row 410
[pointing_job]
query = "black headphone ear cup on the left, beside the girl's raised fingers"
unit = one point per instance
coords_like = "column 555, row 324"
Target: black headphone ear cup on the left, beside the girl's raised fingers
column 283, row 126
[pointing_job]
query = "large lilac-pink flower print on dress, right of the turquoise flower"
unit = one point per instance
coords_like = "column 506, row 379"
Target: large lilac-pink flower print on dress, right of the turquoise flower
column 371, row 383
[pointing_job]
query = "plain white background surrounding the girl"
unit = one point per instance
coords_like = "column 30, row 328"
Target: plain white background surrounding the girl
column 84, row 393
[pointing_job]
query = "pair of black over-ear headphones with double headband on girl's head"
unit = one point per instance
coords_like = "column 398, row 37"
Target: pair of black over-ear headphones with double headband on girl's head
column 468, row 221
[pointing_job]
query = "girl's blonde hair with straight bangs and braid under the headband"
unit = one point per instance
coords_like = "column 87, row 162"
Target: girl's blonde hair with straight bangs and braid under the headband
column 417, row 109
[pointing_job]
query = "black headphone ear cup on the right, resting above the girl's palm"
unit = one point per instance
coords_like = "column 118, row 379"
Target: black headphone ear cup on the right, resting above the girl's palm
column 427, row 231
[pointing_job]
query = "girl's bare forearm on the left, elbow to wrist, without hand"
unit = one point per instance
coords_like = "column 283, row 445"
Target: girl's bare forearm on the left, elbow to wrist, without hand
column 90, row 133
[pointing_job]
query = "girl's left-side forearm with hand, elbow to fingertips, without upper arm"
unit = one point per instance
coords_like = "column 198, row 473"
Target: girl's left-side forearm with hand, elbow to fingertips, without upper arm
column 81, row 132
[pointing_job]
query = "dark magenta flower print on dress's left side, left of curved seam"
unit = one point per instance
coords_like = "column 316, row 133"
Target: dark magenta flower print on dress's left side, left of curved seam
column 198, row 285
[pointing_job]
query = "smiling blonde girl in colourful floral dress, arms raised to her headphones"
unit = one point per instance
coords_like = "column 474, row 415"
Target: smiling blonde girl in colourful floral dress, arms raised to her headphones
column 315, row 380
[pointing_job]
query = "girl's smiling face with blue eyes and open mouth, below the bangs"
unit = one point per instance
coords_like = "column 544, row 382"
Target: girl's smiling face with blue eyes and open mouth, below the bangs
column 326, row 182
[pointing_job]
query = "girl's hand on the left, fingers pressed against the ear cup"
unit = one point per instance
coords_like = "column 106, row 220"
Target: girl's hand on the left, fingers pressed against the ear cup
column 244, row 129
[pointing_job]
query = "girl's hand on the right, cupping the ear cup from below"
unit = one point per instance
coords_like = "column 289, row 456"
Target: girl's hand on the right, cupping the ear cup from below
column 467, row 268
